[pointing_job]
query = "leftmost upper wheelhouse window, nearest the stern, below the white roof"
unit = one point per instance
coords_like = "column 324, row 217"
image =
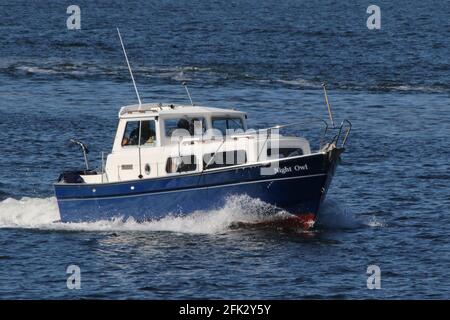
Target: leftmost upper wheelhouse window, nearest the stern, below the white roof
column 146, row 130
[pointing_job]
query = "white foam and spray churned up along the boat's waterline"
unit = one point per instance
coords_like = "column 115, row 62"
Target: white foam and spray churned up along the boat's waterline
column 41, row 213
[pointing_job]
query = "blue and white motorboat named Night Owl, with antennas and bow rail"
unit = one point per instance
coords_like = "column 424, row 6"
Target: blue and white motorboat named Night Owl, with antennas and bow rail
column 172, row 159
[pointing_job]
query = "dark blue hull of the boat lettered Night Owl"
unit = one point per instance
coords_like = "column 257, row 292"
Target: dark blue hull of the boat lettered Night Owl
column 299, row 186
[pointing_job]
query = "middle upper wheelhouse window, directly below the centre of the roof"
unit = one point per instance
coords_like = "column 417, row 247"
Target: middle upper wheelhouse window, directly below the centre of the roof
column 185, row 126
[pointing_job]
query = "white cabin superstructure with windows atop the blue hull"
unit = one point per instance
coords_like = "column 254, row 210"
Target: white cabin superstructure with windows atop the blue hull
column 158, row 140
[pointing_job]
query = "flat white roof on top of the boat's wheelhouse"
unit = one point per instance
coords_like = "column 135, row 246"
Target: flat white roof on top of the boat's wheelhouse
column 158, row 109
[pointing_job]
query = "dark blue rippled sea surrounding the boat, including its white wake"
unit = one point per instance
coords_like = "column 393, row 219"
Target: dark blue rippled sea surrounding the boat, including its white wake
column 388, row 205
